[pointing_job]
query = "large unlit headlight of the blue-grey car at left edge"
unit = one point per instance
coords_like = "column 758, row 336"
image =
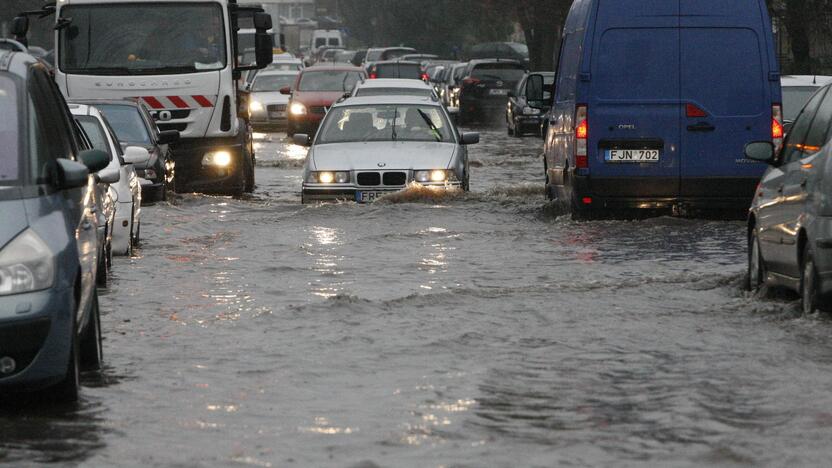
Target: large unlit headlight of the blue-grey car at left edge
column 26, row 265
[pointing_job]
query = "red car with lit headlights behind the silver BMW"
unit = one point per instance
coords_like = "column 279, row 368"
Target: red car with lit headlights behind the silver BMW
column 315, row 90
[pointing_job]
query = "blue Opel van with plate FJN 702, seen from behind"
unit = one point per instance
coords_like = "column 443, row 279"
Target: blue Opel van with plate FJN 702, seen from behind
column 655, row 101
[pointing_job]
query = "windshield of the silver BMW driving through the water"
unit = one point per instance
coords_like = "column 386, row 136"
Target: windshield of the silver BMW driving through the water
column 385, row 123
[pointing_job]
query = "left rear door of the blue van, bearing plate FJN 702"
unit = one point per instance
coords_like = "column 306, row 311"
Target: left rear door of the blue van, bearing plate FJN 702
column 634, row 99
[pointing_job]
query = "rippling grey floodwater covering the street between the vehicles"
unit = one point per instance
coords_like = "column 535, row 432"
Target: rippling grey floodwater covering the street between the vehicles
column 423, row 331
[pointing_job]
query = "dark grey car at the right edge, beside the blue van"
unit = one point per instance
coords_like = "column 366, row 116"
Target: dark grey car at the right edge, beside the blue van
column 790, row 221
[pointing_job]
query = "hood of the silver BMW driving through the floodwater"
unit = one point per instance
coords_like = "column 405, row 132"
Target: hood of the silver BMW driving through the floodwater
column 385, row 155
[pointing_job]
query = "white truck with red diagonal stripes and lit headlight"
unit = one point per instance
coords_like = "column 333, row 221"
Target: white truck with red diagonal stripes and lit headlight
column 181, row 59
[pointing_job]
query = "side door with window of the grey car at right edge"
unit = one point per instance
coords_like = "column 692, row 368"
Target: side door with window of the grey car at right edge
column 776, row 218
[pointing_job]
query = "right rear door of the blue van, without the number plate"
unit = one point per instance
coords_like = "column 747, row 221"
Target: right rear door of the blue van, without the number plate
column 726, row 96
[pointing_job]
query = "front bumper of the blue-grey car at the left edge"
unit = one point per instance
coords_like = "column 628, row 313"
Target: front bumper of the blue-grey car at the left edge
column 36, row 331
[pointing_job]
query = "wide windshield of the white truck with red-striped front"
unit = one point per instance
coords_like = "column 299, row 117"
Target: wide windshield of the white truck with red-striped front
column 142, row 39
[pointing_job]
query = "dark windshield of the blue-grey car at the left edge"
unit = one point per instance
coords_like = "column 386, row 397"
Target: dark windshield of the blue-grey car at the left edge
column 10, row 157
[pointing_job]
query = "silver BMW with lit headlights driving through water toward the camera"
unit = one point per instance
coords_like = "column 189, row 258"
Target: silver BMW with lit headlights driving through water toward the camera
column 371, row 146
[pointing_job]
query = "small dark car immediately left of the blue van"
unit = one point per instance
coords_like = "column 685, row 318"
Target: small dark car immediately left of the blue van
column 528, row 103
